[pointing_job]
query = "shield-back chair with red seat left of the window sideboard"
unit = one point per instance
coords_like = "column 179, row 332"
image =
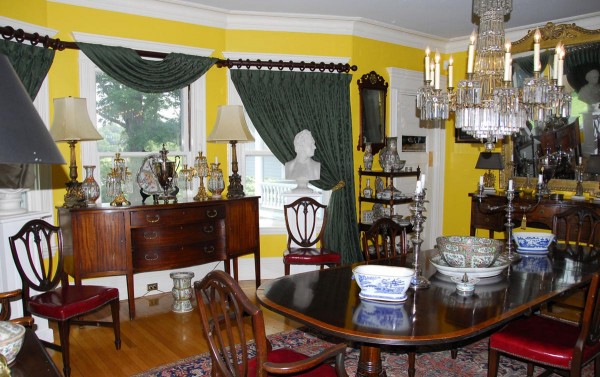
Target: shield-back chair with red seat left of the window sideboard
column 37, row 251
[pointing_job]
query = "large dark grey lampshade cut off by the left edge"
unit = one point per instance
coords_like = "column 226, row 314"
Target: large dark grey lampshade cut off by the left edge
column 24, row 136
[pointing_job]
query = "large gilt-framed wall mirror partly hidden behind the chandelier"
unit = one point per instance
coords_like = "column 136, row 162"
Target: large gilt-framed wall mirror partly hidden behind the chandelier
column 563, row 144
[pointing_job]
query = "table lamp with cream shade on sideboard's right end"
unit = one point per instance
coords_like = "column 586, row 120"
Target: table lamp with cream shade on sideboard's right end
column 231, row 128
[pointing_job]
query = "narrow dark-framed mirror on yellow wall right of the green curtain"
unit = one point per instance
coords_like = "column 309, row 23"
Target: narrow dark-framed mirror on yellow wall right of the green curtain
column 373, row 97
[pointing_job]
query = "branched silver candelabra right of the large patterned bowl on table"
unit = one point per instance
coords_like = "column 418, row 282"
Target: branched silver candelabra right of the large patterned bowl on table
column 509, row 207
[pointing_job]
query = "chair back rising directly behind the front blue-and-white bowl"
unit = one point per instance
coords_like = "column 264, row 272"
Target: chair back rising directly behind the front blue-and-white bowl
column 383, row 240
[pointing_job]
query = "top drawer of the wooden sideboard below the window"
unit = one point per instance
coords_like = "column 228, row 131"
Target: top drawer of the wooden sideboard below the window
column 176, row 216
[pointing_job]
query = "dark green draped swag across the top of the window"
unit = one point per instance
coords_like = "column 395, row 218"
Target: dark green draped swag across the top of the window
column 175, row 71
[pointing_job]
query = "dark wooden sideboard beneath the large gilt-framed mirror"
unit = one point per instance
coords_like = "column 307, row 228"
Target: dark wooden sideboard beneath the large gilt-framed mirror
column 539, row 216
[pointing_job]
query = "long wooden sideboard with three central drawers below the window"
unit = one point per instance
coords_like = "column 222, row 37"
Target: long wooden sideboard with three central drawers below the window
column 105, row 241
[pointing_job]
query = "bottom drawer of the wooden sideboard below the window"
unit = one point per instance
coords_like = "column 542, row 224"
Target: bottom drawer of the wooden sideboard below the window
column 176, row 256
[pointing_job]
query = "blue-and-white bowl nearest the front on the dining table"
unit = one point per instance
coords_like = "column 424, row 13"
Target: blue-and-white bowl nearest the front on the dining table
column 384, row 283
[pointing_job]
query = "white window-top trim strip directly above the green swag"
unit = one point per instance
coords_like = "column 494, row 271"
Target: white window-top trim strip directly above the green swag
column 137, row 44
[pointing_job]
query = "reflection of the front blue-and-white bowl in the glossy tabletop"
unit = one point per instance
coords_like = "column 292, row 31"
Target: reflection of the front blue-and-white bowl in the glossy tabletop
column 381, row 315
